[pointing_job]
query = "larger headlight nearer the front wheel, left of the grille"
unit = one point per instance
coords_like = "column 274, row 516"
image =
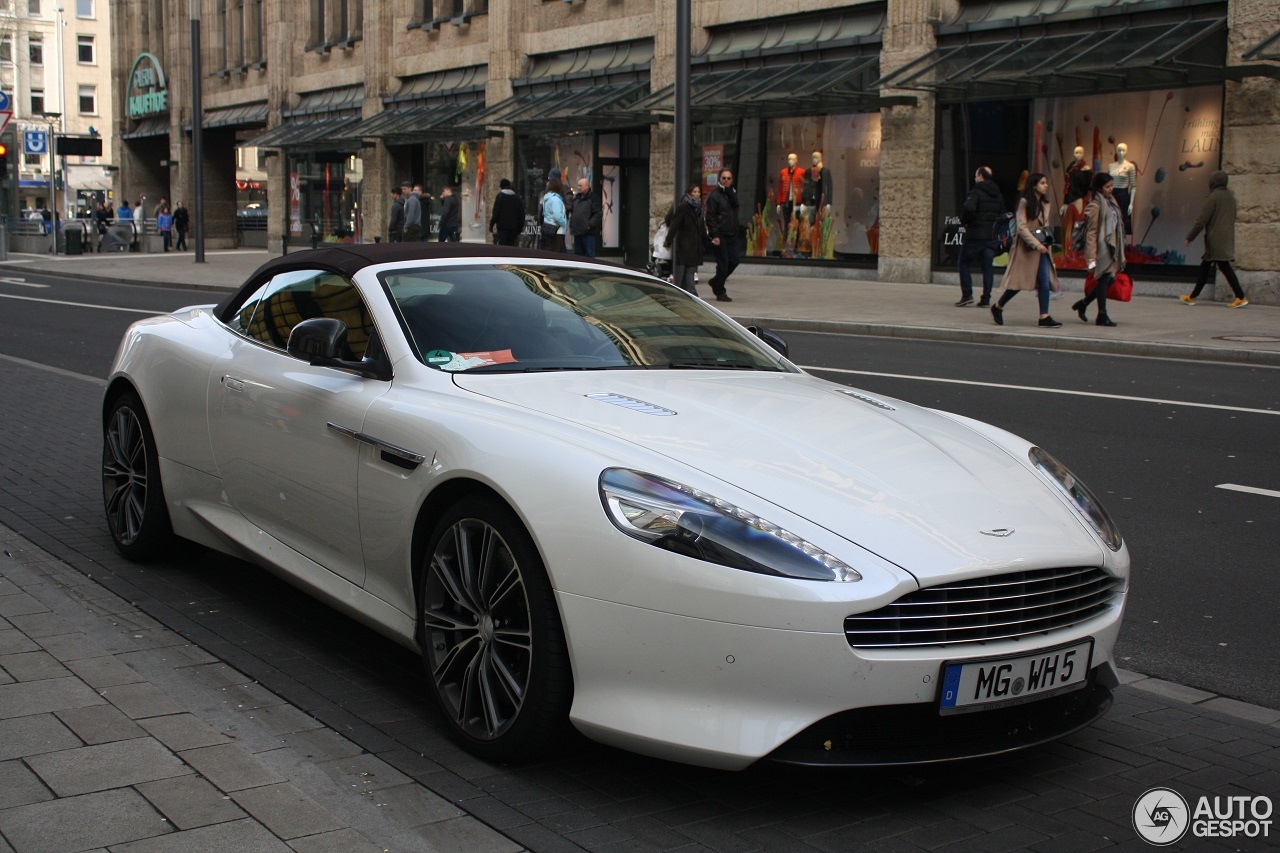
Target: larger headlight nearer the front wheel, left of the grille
column 697, row 524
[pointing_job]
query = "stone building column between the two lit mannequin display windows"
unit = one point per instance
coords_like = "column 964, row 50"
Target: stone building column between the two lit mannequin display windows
column 908, row 150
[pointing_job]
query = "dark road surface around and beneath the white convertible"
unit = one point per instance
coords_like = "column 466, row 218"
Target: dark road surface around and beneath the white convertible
column 1199, row 553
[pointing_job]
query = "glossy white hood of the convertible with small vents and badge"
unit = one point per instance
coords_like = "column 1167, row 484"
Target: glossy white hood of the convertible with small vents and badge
column 911, row 485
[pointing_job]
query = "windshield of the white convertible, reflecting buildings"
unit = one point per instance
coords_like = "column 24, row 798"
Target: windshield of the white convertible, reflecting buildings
column 509, row 318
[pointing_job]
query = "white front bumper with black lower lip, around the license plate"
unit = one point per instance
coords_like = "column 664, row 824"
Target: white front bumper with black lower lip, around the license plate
column 723, row 695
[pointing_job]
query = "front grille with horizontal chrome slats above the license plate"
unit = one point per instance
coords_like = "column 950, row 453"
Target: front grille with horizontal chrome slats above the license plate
column 988, row 609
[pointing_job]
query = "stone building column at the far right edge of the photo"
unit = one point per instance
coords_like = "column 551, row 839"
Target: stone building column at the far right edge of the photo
column 1251, row 124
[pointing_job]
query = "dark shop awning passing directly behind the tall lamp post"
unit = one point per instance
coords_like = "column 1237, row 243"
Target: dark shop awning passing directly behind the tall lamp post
column 794, row 89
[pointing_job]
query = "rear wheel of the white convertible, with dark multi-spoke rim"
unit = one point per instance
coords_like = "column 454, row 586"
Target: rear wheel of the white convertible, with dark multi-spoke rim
column 132, row 495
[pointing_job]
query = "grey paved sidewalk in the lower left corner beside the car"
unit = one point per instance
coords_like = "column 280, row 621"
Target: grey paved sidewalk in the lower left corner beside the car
column 118, row 733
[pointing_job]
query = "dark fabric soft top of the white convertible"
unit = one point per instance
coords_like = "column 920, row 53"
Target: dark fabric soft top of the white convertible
column 350, row 259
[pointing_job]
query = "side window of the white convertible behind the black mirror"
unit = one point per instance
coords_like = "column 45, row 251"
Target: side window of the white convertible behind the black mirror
column 272, row 312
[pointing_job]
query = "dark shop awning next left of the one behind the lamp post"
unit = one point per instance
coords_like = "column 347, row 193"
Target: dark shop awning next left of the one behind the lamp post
column 568, row 110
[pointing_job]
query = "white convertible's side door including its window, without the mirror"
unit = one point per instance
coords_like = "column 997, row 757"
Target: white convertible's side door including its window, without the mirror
column 276, row 421
